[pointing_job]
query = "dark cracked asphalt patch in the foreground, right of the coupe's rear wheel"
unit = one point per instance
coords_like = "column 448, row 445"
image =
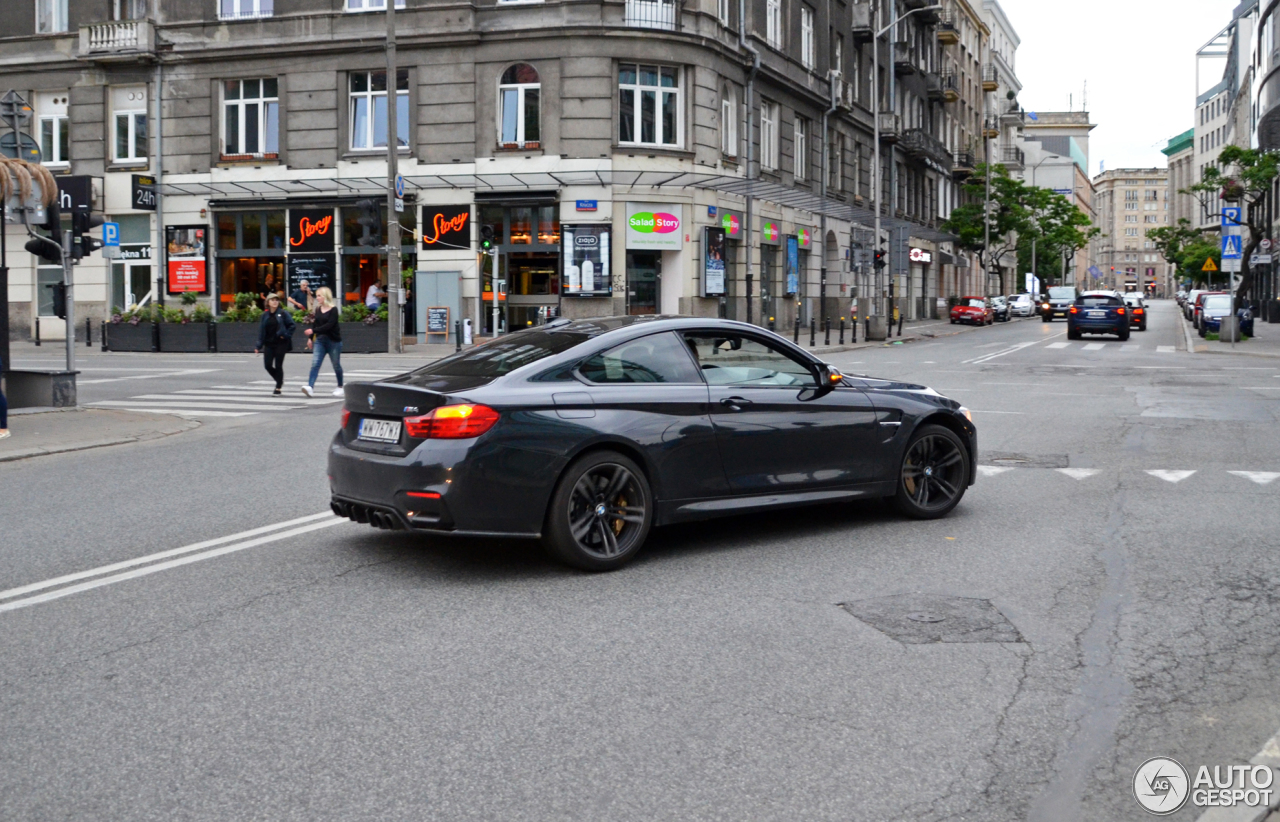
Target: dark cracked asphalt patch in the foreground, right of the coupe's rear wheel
column 924, row 619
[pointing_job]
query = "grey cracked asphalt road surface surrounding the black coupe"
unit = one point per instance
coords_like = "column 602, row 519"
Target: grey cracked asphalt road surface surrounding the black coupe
column 344, row 673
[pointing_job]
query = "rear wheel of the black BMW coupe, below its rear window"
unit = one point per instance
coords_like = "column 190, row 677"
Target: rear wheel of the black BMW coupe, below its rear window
column 579, row 529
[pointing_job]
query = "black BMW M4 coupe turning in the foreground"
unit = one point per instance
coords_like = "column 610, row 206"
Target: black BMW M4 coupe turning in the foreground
column 588, row 433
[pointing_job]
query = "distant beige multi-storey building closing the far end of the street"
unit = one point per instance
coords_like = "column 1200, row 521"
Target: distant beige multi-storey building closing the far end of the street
column 1130, row 204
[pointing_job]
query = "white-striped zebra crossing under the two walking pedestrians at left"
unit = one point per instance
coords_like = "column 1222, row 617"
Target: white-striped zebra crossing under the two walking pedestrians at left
column 243, row 400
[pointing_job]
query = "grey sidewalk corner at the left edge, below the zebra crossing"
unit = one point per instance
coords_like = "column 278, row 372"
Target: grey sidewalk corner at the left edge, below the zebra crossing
column 39, row 432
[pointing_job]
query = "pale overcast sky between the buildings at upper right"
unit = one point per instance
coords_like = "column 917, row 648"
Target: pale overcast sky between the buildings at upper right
column 1139, row 58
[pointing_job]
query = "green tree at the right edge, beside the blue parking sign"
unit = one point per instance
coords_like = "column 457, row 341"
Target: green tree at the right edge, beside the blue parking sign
column 1242, row 177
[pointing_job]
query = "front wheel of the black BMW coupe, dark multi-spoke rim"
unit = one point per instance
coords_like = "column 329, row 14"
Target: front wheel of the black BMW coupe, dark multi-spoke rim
column 934, row 474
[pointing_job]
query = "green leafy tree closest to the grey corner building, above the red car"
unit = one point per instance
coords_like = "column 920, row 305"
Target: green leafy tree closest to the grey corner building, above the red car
column 1008, row 217
